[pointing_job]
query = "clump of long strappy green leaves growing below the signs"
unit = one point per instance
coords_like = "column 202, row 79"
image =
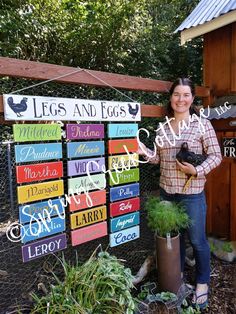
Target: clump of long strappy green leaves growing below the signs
column 101, row 285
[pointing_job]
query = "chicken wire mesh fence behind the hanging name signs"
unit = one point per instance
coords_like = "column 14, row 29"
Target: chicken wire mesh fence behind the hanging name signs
column 18, row 279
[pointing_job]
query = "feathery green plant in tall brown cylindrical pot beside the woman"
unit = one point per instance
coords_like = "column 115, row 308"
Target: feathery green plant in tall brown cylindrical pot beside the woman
column 167, row 219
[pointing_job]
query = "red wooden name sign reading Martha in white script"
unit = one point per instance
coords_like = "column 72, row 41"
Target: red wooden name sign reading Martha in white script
column 38, row 172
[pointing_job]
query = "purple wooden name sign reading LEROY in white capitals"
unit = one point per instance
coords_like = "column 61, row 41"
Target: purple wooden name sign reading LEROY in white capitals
column 43, row 247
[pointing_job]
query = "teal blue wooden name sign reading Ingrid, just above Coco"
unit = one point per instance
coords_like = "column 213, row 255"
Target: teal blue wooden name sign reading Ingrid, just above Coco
column 124, row 222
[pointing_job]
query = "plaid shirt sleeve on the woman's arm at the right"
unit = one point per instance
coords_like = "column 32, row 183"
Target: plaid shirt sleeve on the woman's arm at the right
column 211, row 148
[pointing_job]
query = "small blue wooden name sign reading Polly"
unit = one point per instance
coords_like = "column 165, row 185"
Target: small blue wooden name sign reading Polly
column 124, row 191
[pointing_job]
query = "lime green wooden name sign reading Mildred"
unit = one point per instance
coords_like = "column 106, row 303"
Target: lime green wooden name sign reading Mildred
column 36, row 132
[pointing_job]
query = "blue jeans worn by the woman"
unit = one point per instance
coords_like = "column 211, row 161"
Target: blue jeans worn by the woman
column 195, row 206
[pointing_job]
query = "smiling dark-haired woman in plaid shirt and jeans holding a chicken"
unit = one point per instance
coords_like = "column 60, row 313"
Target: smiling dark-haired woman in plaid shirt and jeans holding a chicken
column 183, row 125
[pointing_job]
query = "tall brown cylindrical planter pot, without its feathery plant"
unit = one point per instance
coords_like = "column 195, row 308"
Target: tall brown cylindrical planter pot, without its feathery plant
column 168, row 263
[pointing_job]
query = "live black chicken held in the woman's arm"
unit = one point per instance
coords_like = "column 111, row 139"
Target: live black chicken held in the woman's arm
column 185, row 155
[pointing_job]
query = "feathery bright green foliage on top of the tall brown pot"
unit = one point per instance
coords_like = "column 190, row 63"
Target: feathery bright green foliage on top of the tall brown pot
column 165, row 217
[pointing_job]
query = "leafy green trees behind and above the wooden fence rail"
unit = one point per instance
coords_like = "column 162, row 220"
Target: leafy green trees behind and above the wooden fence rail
column 134, row 37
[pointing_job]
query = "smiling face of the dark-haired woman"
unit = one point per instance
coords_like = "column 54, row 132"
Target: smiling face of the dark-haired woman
column 181, row 99
